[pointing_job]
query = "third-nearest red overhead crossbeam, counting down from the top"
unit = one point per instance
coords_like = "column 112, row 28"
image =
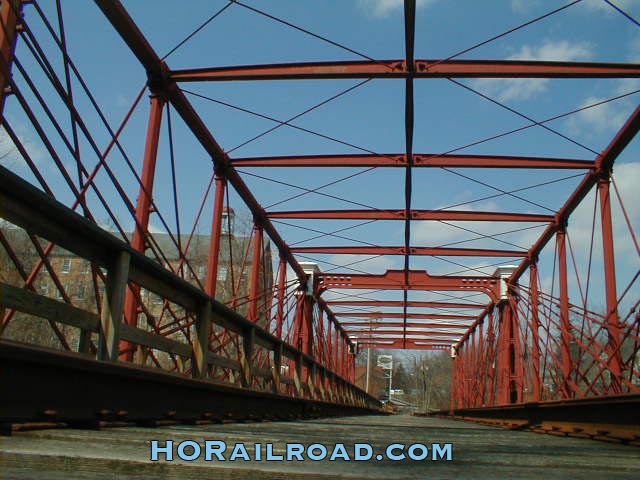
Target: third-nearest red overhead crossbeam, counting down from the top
column 451, row 215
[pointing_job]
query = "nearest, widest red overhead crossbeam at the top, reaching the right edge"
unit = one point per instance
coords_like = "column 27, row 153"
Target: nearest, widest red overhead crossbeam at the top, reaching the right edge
column 420, row 69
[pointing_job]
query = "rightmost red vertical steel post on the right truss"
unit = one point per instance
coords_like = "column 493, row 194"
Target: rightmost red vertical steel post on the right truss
column 613, row 320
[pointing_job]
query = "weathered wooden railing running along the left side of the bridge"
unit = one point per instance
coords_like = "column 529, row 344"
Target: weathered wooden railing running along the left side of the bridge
column 29, row 208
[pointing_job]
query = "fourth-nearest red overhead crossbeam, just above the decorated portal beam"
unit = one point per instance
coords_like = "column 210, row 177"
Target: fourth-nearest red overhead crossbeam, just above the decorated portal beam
column 424, row 251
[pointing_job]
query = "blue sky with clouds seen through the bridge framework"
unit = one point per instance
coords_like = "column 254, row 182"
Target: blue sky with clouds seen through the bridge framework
column 369, row 117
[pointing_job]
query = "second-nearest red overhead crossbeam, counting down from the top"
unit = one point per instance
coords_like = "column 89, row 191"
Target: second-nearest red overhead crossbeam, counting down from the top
column 419, row 160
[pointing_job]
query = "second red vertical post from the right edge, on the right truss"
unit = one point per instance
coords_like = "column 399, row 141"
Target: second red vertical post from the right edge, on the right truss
column 565, row 323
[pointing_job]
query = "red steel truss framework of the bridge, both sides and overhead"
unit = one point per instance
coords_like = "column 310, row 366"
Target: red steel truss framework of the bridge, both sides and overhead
column 282, row 334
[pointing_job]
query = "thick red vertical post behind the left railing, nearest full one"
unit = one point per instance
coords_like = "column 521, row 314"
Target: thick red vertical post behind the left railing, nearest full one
column 143, row 209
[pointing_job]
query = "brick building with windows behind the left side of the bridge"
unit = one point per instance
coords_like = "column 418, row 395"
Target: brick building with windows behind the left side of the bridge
column 75, row 275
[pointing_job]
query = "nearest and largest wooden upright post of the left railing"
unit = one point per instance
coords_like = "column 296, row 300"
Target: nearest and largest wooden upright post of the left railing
column 112, row 308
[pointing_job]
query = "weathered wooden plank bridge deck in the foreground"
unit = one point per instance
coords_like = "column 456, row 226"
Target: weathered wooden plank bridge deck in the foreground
column 478, row 452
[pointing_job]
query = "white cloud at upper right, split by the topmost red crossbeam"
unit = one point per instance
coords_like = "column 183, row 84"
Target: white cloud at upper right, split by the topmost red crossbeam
column 518, row 89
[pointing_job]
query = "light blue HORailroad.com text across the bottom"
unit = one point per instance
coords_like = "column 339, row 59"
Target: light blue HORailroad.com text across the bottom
column 216, row 450
